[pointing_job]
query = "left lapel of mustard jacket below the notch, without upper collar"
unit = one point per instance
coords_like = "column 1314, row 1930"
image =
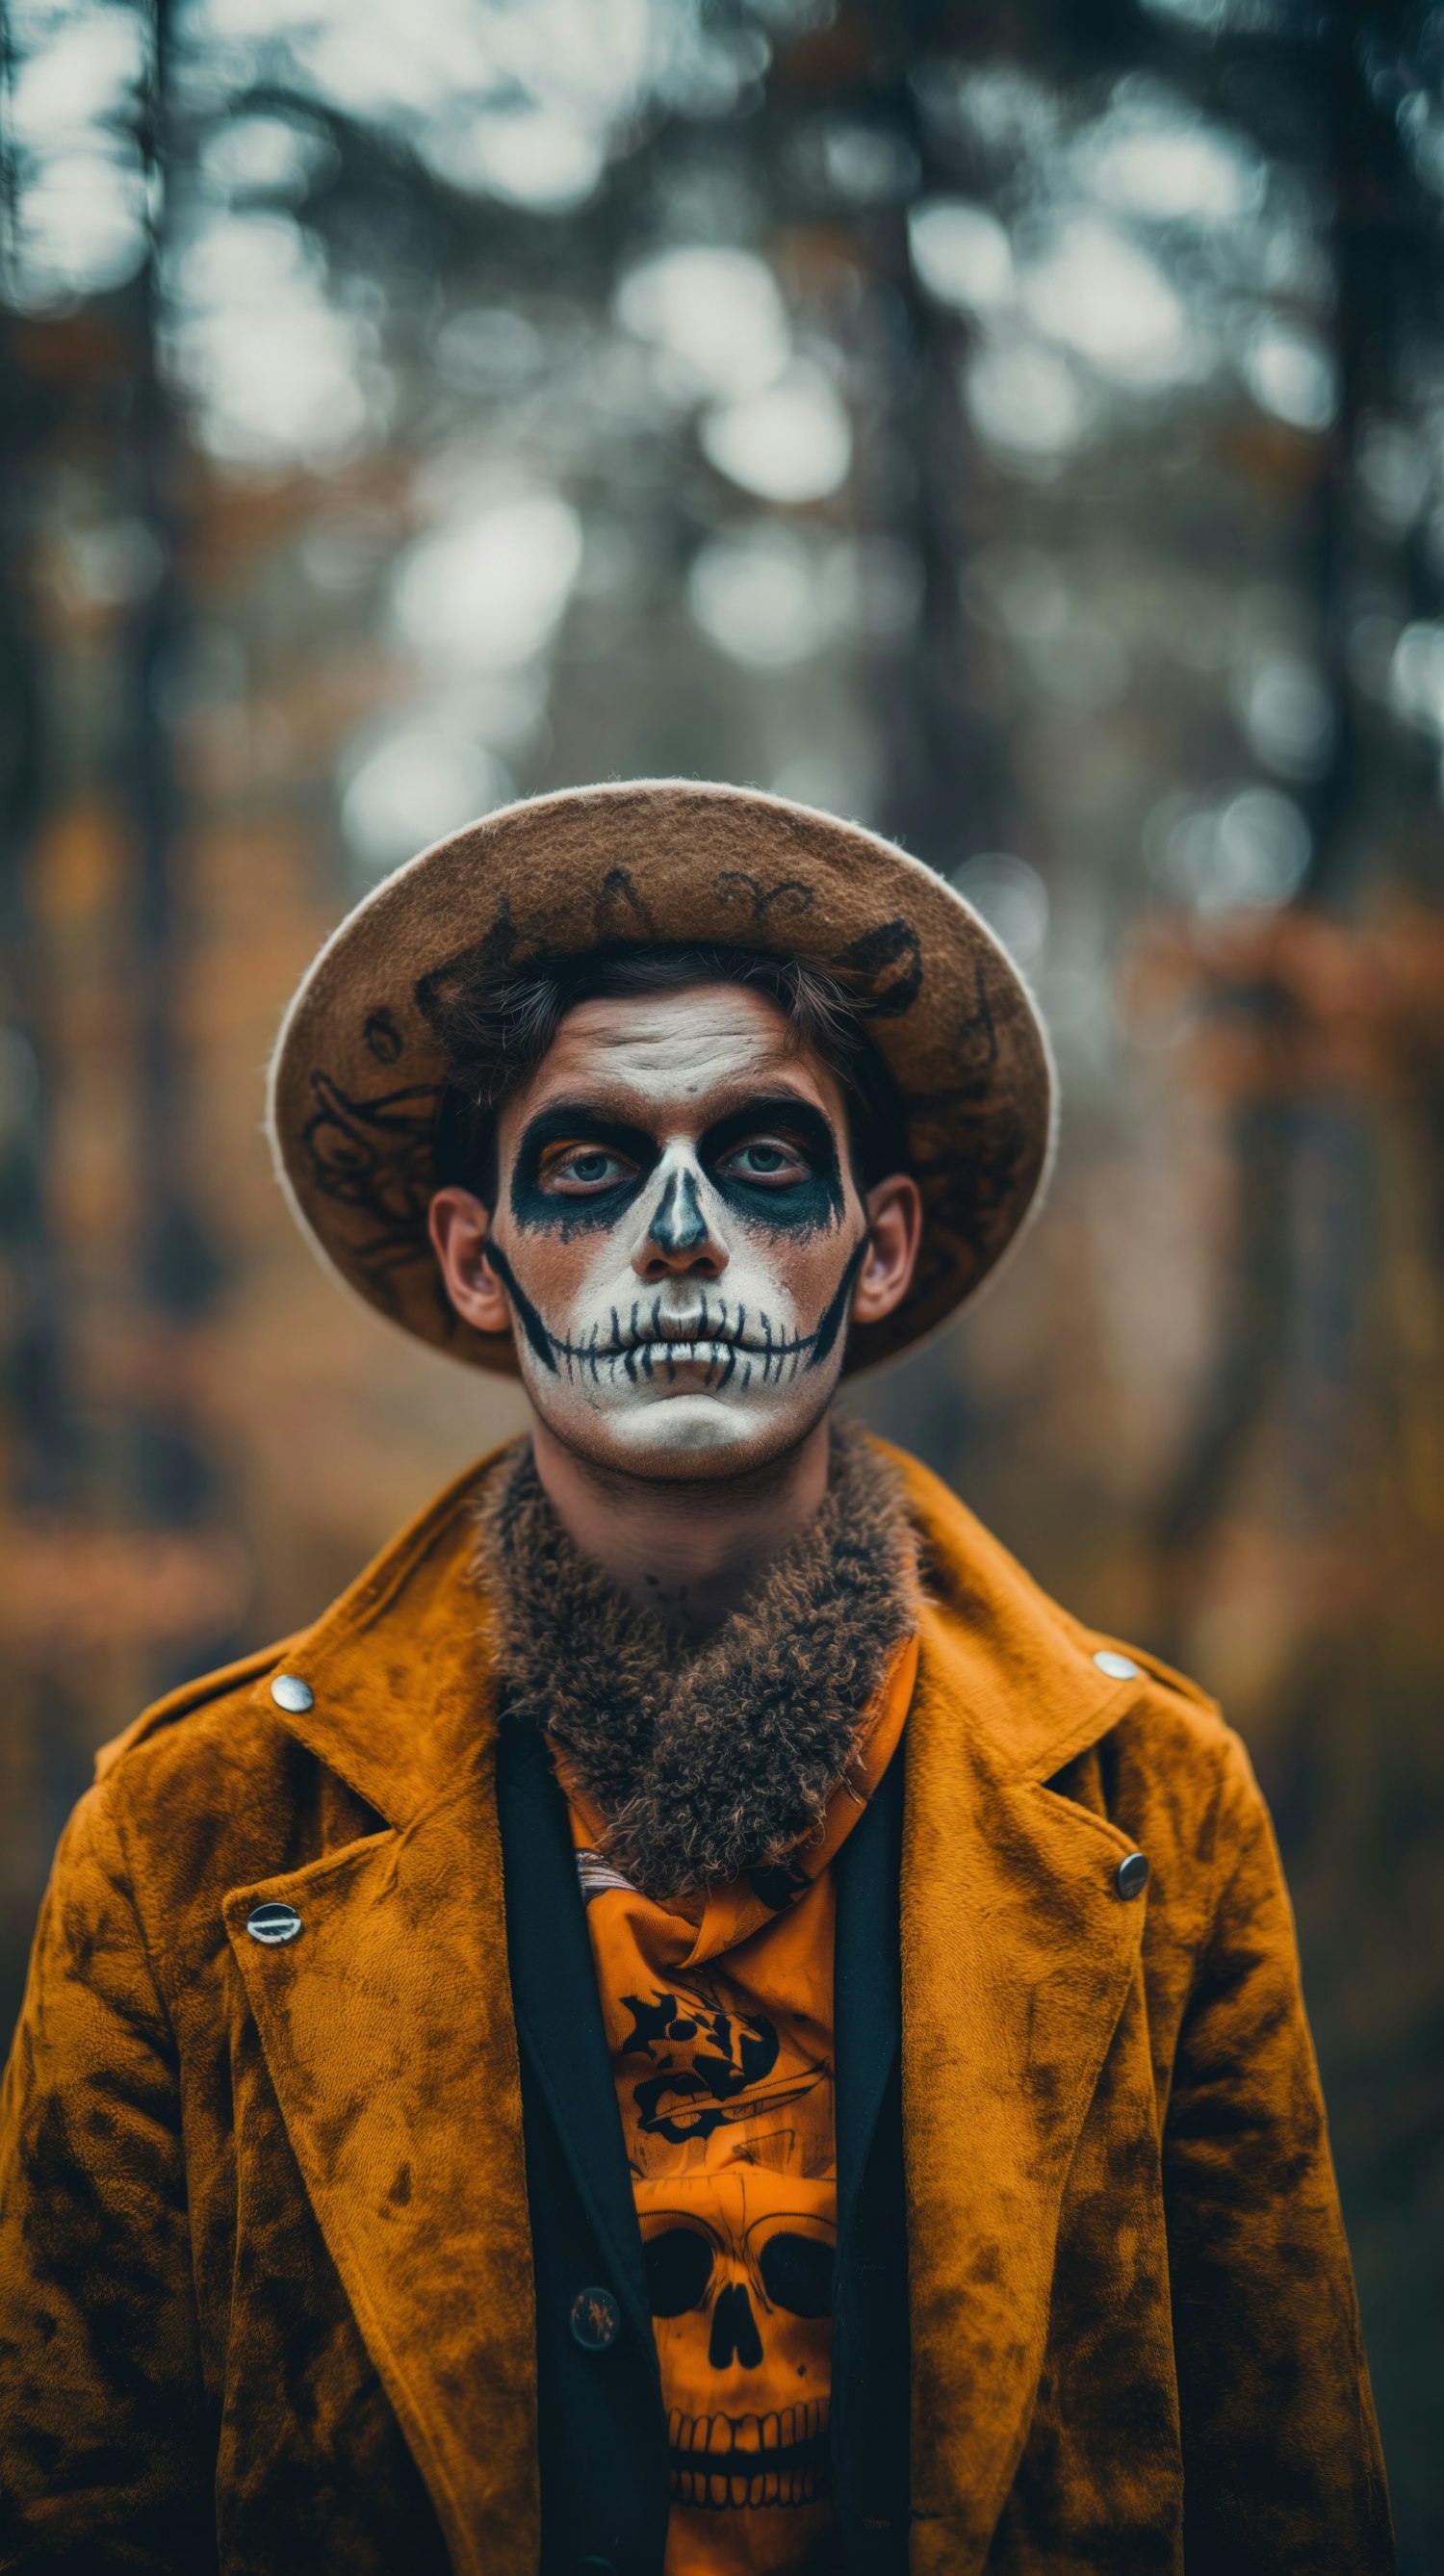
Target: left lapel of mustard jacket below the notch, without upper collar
column 393, row 2052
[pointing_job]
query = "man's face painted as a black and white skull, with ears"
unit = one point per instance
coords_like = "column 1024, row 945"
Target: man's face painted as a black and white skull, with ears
column 678, row 1233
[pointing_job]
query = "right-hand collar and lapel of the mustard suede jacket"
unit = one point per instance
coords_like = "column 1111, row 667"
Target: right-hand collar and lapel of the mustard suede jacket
column 1018, row 1956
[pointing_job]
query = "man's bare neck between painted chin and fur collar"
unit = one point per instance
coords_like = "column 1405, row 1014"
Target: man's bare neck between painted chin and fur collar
column 691, row 1552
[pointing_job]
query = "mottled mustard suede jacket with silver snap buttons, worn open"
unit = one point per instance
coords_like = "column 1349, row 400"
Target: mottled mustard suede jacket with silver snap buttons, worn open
column 266, row 2268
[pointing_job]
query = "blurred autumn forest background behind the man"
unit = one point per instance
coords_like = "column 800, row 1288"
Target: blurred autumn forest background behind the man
column 1015, row 426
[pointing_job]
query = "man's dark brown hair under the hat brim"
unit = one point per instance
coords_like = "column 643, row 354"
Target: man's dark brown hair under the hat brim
column 498, row 1024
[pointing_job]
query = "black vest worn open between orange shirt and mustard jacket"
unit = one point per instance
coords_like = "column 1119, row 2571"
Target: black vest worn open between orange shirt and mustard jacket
column 604, row 2433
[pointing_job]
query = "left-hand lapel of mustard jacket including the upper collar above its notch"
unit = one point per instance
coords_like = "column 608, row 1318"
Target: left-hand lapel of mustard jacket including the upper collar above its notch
column 387, row 2029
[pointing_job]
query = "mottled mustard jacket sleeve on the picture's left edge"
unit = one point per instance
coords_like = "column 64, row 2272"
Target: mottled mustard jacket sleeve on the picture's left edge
column 102, row 2418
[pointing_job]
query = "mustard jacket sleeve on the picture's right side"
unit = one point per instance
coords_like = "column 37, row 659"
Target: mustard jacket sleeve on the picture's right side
column 1283, row 2472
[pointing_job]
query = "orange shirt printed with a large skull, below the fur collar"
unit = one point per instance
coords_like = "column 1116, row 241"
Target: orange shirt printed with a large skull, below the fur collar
column 719, row 2021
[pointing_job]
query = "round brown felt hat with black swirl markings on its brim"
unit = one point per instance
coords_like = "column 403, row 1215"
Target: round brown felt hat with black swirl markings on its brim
column 359, row 1065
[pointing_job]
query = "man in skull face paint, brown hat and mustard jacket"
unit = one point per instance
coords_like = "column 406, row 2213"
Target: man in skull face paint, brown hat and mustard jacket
column 694, row 2021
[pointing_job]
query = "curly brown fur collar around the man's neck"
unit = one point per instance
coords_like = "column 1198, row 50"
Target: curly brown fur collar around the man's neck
column 717, row 1758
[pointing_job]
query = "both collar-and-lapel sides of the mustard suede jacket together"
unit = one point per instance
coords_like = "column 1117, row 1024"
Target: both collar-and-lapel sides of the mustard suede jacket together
column 393, row 2041
